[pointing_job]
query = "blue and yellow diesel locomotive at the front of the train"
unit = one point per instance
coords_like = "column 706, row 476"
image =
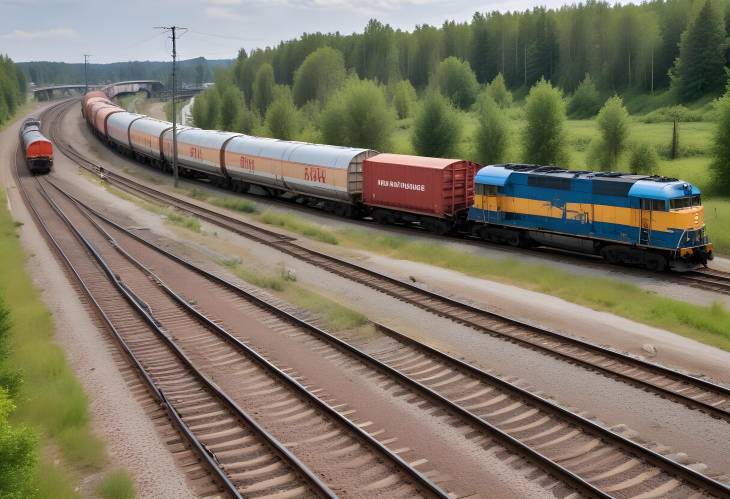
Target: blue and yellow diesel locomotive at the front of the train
column 642, row 220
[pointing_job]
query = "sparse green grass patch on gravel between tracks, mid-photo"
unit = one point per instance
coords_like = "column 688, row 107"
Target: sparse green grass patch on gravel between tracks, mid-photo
column 337, row 317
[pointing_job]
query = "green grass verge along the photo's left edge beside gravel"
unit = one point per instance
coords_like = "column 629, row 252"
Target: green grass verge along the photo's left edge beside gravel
column 50, row 399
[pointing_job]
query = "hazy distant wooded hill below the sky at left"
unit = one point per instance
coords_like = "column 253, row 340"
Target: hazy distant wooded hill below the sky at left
column 191, row 71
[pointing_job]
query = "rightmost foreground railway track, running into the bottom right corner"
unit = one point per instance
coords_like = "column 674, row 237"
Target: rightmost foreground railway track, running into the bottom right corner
column 563, row 444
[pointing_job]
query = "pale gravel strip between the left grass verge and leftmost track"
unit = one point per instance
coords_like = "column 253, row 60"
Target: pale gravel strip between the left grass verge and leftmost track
column 132, row 440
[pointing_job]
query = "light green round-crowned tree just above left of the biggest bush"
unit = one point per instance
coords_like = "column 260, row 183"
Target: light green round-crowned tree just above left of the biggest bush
column 322, row 72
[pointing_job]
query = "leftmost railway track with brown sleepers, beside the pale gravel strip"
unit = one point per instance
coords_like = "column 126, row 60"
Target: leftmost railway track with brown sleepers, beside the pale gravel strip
column 190, row 400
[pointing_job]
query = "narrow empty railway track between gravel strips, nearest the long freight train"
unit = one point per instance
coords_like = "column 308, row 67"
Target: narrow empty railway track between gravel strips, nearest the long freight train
column 698, row 393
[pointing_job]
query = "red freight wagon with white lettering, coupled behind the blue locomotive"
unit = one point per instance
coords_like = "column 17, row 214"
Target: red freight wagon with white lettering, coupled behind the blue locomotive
column 432, row 191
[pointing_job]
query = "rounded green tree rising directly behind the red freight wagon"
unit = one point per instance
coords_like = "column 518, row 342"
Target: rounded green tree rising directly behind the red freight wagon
column 437, row 128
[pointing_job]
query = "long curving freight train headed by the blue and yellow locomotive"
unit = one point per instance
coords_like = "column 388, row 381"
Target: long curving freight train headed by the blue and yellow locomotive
column 650, row 221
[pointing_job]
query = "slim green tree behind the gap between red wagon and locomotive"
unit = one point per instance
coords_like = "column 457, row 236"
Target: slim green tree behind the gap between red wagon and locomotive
column 491, row 136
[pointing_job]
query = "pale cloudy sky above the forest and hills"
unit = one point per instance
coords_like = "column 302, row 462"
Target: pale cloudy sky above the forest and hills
column 123, row 30
